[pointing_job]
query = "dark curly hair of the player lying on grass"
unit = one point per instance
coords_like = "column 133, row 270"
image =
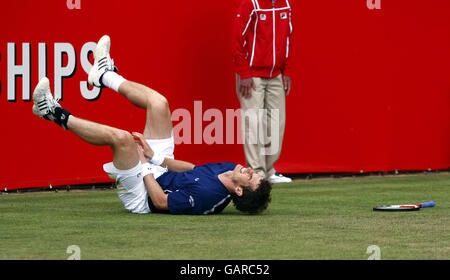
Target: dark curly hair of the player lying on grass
column 253, row 202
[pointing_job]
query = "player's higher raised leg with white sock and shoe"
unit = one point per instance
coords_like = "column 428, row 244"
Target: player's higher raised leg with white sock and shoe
column 103, row 74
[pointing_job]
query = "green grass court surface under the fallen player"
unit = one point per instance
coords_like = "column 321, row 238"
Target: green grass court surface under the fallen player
column 309, row 219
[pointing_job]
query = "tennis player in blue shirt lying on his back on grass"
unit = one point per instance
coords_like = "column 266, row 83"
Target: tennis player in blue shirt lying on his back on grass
column 147, row 175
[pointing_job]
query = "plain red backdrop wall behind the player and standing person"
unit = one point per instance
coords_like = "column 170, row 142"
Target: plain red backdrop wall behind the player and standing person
column 370, row 87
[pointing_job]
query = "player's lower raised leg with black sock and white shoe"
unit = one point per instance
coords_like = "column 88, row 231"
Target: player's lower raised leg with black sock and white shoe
column 120, row 141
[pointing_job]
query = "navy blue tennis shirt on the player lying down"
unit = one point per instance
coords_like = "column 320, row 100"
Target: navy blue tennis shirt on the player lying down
column 197, row 191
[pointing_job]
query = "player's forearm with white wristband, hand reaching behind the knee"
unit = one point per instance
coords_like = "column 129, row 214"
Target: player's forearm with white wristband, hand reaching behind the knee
column 171, row 164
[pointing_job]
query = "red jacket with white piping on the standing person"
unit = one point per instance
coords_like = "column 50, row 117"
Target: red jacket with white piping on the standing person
column 261, row 39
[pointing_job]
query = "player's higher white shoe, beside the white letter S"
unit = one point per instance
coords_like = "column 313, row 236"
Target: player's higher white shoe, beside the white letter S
column 102, row 62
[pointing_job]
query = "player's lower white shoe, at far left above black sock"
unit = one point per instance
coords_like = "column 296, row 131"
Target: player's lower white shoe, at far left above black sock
column 44, row 102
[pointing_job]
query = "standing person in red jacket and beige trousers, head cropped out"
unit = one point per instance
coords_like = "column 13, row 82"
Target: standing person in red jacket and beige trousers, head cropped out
column 261, row 52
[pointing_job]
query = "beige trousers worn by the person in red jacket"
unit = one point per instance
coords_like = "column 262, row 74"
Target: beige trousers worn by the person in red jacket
column 263, row 122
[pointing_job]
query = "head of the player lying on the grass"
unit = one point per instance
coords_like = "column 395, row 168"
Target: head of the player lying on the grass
column 252, row 194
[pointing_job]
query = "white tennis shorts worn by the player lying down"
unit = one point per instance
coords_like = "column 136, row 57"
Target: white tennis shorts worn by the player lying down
column 132, row 191
